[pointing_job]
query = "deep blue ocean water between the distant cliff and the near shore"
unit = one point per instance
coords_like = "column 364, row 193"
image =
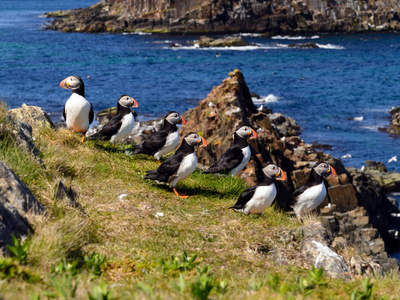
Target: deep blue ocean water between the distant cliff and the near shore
column 340, row 93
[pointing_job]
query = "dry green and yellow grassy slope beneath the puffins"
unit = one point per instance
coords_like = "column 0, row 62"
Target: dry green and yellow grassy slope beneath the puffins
column 134, row 239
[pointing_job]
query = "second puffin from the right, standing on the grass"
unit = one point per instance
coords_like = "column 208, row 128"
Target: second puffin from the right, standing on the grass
column 256, row 199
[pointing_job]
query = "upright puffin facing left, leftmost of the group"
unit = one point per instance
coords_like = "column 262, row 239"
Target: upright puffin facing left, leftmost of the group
column 78, row 112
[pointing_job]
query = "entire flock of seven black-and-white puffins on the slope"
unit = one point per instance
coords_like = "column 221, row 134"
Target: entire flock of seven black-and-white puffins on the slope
column 78, row 114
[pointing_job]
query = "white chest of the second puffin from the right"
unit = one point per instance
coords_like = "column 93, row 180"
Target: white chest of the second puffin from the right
column 262, row 198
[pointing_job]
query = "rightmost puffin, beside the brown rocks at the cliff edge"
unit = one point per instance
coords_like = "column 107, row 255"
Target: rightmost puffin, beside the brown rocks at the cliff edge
column 311, row 195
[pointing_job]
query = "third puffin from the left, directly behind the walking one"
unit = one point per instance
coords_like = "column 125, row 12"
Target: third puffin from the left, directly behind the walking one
column 164, row 140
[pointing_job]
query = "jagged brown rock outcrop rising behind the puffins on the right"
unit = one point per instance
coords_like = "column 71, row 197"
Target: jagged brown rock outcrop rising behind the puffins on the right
column 356, row 211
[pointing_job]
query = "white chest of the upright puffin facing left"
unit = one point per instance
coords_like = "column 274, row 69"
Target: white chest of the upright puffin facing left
column 77, row 110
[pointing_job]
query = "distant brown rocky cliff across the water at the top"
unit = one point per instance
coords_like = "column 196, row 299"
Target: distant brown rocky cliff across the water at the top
column 273, row 17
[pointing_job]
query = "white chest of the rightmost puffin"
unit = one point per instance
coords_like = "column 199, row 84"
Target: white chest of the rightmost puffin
column 310, row 199
